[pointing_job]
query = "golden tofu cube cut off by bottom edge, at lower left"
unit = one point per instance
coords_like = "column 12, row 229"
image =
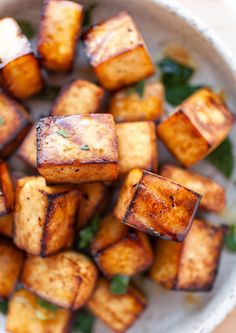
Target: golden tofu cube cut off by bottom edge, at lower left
column 26, row 315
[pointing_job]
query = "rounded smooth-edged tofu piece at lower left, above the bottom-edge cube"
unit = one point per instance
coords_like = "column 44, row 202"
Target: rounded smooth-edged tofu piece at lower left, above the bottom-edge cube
column 66, row 279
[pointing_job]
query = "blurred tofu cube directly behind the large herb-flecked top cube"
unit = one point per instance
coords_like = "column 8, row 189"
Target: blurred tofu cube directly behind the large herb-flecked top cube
column 78, row 97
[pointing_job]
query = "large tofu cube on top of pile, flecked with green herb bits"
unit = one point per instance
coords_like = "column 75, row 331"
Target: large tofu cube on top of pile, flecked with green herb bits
column 77, row 149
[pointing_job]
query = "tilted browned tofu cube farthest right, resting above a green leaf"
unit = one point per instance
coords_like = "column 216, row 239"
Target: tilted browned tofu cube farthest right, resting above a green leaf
column 196, row 127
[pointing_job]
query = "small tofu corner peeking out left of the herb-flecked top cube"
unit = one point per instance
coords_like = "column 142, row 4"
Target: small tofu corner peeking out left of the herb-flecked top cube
column 27, row 151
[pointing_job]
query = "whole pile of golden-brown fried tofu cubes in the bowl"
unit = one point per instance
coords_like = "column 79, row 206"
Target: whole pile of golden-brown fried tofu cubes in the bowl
column 78, row 154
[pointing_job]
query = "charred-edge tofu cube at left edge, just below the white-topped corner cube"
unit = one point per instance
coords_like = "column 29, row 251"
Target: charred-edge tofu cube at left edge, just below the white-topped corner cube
column 14, row 124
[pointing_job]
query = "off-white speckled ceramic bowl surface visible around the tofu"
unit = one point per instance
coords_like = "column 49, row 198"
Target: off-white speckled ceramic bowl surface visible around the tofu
column 161, row 22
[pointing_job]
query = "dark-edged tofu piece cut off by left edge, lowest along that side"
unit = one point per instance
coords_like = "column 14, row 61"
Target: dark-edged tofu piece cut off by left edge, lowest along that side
column 11, row 261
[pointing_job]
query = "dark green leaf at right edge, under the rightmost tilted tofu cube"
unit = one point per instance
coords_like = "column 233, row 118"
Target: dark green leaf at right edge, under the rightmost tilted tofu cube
column 222, row 158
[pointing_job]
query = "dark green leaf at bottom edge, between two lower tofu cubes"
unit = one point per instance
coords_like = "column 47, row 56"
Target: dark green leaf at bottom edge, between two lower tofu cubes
column 84, row 321
